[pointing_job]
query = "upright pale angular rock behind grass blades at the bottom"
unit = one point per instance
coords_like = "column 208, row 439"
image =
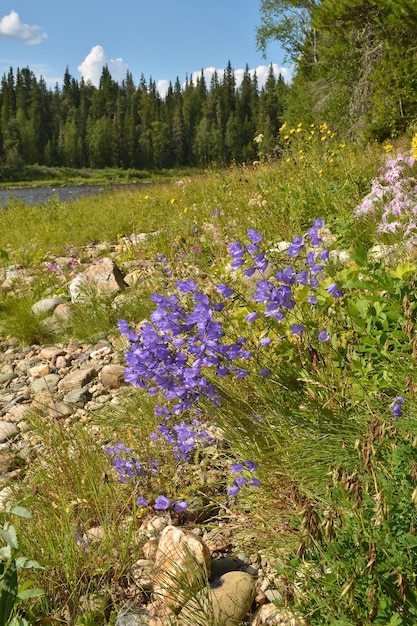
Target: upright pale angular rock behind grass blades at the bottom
column 182, row 567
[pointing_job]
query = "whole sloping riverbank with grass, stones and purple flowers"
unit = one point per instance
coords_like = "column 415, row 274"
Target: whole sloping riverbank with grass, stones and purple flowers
column 268, row 337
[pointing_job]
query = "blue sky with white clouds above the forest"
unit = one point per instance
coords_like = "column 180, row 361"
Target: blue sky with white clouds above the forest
column 161, row 39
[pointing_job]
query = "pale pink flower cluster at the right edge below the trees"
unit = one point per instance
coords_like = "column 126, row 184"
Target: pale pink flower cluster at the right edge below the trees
column 393, row 200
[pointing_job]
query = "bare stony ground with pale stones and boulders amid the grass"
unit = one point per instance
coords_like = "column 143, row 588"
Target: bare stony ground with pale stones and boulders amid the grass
column 70, row 382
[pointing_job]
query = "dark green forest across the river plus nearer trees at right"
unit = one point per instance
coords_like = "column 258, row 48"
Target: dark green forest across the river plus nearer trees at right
column 353, row 67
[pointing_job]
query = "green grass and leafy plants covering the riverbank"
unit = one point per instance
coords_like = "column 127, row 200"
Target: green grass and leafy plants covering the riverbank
column 320, row 426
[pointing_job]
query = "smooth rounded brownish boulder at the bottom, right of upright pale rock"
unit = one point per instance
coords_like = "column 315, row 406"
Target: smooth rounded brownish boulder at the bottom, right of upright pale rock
column 227, row 602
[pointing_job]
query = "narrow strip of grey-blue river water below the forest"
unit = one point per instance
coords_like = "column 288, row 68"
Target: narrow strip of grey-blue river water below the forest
column 40, row 195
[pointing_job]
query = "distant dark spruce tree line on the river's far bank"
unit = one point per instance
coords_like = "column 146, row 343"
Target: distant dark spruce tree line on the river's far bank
column 132, row 126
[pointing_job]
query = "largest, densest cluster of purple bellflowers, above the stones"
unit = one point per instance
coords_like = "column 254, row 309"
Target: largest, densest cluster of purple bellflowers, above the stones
column 170, row 353
